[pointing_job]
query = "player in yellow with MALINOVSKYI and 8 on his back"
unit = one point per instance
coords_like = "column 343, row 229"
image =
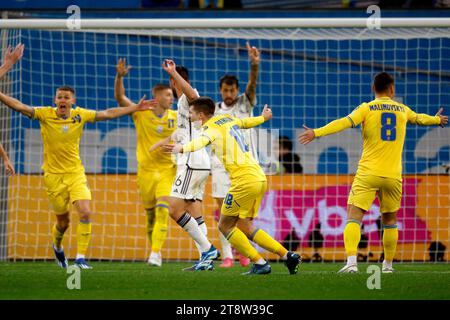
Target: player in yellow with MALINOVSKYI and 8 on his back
column 383, row 123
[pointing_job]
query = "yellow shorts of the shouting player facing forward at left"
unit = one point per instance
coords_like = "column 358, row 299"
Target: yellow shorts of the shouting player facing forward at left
column 65, row 188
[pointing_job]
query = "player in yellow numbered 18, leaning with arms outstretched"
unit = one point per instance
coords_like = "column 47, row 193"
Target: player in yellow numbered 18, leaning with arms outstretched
column 248, row 182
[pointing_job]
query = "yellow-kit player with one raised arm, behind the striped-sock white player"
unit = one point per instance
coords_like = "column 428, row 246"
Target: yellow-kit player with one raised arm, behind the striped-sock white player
column 156, row 169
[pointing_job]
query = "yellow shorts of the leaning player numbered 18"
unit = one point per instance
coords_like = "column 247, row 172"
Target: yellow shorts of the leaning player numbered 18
column 243, row 200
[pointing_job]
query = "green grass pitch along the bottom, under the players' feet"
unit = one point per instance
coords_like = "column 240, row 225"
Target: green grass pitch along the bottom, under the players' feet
column 136, row 281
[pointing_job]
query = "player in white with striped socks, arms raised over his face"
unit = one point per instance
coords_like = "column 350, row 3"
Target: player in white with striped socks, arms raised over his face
column 185, row 206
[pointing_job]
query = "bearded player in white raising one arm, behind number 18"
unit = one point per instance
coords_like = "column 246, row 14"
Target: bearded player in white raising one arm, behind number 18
column 239, row 106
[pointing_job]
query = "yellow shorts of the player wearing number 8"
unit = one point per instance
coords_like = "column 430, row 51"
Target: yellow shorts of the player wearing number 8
column 366, row 187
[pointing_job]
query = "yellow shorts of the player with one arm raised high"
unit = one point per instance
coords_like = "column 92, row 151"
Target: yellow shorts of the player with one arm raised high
column 154, row 184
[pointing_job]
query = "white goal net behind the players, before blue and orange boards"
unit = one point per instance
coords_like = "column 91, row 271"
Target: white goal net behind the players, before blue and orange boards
column 308, row 75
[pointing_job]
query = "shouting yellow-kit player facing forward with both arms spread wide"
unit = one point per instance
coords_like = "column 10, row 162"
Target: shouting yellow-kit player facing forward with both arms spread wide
column 64, row 177
